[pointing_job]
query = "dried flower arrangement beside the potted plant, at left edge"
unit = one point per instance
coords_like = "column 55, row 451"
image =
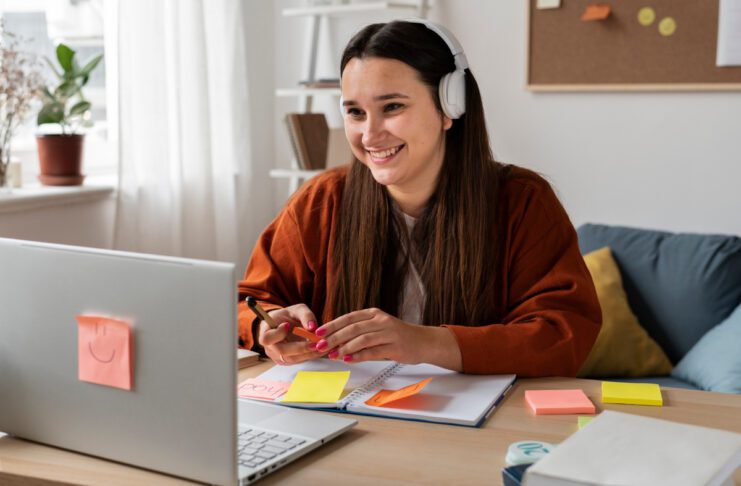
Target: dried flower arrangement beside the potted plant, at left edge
column 20, row 85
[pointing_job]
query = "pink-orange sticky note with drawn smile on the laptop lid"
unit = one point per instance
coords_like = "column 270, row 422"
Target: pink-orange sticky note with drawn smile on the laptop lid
column 104, row 351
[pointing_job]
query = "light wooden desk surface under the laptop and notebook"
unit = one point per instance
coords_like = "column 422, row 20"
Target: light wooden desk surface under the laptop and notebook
column 385, row 451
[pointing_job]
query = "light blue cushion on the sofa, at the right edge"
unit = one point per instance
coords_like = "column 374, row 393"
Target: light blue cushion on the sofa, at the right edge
column 714, row 363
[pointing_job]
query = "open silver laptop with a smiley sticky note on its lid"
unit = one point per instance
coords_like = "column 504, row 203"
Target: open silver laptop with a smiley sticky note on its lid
column 61, row 306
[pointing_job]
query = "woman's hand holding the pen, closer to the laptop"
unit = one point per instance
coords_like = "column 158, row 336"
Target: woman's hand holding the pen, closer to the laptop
column 282, row 346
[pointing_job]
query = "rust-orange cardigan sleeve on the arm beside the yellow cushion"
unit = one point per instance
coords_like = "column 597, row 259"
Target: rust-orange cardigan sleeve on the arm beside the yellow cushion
column 552, row 316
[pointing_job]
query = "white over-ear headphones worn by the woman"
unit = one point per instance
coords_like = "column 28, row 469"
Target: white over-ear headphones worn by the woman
column 452, row 88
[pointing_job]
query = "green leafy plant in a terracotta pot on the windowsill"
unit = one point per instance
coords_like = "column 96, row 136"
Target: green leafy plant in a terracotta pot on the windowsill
column 60, row 154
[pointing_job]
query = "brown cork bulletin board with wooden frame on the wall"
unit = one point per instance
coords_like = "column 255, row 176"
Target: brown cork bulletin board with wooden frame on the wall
column 624, row 52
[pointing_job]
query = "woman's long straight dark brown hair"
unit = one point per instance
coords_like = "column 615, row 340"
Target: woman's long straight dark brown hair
column 455, row 244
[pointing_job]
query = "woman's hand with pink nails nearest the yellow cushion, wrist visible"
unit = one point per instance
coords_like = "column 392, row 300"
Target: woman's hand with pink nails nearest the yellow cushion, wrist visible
column 372, row 334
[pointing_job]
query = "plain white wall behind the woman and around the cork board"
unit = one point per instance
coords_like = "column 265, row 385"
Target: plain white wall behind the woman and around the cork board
column 660, row 160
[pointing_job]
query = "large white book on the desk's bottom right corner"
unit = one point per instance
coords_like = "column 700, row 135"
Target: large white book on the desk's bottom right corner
column 623, row 449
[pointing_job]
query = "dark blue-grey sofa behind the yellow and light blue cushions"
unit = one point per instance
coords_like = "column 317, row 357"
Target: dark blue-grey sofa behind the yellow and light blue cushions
column 680, row 286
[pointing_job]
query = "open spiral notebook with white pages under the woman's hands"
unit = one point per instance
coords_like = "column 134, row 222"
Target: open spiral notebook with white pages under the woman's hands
column 450, row 398
